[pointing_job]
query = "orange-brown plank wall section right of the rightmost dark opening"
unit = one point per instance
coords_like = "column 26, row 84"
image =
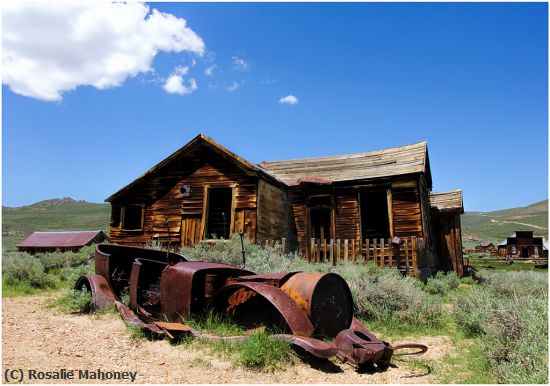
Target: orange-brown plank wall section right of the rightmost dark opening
column 406, row 208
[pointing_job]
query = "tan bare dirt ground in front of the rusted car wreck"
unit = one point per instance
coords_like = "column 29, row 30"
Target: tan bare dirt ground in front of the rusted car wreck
column 36, row 337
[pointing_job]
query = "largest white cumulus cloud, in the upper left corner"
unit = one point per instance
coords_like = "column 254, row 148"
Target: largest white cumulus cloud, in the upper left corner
column 53, row 47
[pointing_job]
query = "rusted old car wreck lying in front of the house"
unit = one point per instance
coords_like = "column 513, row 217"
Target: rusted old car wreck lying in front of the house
column 166, row 289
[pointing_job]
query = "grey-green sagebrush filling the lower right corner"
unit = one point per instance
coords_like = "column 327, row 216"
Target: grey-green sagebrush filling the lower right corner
column 510, row 319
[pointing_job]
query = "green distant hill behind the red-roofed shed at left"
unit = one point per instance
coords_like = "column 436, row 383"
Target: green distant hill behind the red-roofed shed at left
column 57, row 214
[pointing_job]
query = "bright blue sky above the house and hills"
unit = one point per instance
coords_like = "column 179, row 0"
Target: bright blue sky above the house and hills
column 471, row 79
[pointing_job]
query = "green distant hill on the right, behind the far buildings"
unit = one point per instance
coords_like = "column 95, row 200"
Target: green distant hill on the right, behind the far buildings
column 495, row 226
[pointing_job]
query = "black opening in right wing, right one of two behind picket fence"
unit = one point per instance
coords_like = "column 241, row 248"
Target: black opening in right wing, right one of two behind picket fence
column 375, row 223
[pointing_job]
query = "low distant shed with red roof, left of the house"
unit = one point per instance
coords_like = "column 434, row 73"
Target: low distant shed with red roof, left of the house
column 60, row 241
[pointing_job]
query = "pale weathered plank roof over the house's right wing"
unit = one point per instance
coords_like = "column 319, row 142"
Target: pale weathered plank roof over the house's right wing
column 409, row 159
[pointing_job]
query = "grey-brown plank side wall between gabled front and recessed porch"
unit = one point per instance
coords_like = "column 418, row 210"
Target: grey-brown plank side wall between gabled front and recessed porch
column 273, row 212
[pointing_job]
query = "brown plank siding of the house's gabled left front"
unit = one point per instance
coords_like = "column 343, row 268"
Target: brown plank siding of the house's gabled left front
column 163, row 200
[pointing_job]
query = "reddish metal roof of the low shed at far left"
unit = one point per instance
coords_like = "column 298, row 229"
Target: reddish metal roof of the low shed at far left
column 59, row 239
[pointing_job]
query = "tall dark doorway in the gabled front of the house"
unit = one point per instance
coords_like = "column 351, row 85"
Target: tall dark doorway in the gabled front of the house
column 218, row 213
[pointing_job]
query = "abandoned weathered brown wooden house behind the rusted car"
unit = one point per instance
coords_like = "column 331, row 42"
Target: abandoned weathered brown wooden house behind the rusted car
column 337, row 207
